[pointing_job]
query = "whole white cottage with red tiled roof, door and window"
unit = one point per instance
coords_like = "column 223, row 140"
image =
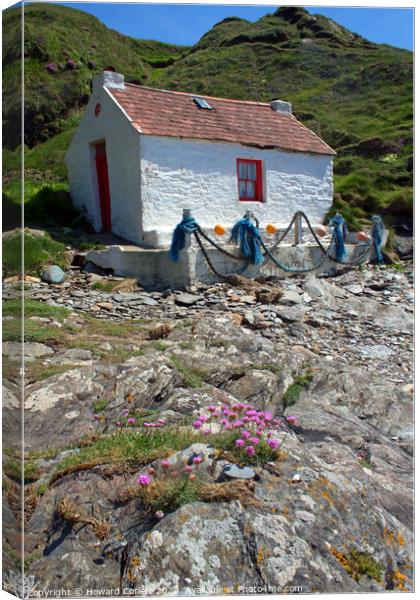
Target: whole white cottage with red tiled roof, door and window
column 141, row 155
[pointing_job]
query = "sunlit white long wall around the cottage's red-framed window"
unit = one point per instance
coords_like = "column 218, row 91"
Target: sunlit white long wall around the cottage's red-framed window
column 201, row 175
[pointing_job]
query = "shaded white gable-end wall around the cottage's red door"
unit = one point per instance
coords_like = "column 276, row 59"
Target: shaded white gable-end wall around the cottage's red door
column 122, row 144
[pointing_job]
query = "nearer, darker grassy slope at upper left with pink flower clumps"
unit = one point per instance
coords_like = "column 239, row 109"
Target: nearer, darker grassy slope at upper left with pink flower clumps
column 54, row 34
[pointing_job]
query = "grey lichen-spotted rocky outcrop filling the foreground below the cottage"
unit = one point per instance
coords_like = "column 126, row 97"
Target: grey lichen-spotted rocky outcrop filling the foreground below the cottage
column 332, row 513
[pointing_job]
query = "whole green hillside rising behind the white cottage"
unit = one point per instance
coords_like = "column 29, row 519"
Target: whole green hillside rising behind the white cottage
column 356, row 94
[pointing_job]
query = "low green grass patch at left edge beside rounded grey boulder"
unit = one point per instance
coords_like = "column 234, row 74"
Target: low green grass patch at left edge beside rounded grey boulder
column 39, row 250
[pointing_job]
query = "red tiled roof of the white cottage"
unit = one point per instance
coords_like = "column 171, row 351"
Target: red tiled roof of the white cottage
column 175, row 114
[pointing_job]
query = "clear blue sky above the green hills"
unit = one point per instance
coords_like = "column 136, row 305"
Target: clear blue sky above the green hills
column 185, row 24
